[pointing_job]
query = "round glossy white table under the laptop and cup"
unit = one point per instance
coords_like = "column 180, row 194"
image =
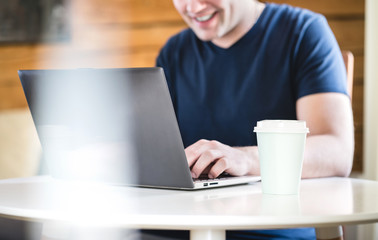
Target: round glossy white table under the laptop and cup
column 322, row 203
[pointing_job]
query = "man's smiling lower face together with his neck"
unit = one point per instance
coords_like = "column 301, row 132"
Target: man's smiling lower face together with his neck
column 222, row 22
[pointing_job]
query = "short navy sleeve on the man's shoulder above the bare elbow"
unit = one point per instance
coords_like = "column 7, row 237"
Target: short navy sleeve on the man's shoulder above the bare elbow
column 319, row 64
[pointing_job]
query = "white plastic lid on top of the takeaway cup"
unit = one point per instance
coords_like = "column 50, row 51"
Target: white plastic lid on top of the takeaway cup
column 281, row 126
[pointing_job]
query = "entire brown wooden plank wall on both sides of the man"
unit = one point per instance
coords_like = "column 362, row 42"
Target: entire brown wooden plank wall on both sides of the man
column 129, row 33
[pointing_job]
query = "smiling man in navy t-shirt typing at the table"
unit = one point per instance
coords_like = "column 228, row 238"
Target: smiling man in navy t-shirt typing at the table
column 242, row 61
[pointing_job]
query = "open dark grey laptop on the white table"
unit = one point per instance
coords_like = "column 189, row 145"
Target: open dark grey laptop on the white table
column 115, row 126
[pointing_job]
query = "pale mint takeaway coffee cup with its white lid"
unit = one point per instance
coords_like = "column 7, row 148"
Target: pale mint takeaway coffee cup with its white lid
column 281, row 146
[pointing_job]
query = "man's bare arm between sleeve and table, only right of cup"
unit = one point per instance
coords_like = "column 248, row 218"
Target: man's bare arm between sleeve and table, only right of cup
column 330, row 143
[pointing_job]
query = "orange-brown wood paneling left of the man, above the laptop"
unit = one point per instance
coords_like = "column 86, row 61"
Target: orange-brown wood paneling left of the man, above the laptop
column 116, row 33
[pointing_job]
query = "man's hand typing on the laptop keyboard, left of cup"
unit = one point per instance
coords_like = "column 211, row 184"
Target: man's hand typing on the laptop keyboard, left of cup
column 214, row 158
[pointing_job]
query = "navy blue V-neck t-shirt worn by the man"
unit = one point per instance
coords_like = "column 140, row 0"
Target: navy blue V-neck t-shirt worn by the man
column 220, row 94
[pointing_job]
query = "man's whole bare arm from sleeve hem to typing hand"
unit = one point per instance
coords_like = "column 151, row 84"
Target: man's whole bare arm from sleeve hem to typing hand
column 329, row 147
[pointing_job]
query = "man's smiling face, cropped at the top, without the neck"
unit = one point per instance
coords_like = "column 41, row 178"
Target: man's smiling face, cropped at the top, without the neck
column 210, row 19
